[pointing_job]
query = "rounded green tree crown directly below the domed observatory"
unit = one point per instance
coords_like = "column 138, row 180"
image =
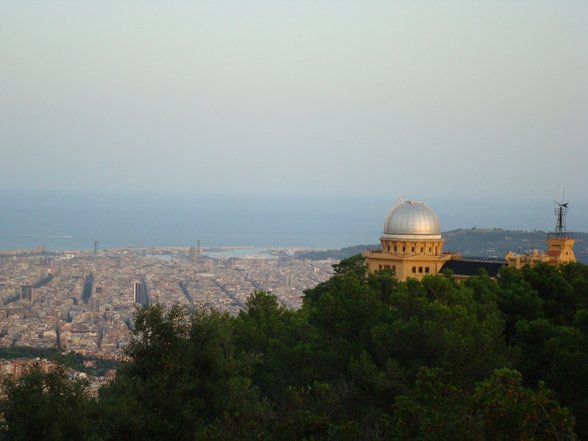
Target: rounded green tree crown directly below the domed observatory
column 440, row 324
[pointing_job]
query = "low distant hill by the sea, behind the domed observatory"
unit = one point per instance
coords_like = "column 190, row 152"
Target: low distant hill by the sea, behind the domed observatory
column 489, row 242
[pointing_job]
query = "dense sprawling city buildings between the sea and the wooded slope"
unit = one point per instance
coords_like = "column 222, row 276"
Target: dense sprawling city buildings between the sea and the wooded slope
column 86, row 302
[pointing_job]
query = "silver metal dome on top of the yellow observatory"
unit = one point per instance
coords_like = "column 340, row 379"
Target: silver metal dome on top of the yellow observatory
column 412, row 220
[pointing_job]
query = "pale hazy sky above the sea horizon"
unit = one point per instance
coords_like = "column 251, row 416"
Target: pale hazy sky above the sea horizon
column 431, row 99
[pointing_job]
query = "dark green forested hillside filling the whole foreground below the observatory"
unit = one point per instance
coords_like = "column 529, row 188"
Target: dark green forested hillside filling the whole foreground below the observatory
column 365, row 358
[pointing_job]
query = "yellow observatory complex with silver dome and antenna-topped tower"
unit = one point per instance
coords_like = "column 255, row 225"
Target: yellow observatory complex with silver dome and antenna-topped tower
column 412, row 246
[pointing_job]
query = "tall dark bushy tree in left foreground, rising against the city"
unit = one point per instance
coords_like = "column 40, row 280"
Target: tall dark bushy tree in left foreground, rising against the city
column 186, row 381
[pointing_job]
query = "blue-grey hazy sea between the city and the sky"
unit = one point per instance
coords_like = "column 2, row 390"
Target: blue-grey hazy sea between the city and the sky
column 67, row 221
